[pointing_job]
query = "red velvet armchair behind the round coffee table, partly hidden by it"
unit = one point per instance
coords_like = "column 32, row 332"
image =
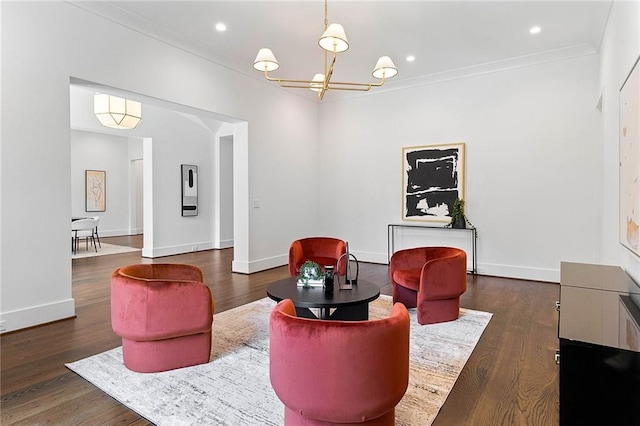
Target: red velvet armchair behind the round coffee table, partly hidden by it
column 322, row 250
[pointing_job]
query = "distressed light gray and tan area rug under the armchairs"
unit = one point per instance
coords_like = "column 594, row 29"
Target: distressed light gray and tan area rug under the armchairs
column 234, row 388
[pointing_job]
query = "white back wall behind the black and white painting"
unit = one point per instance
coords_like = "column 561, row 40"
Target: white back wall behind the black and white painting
column 530, row 156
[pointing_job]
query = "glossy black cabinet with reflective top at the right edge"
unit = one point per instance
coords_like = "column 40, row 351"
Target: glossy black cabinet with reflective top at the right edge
column 599, row 356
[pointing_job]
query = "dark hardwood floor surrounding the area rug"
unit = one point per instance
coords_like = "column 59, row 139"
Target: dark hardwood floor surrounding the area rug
column 510, row 379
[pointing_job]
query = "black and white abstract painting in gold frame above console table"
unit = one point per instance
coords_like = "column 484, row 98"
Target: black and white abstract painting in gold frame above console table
column 433, row 178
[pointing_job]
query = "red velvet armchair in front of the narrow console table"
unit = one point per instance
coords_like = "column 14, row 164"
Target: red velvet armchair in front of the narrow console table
column 431, row 279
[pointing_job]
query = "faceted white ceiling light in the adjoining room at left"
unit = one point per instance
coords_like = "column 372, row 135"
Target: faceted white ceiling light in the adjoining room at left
column 117, row 113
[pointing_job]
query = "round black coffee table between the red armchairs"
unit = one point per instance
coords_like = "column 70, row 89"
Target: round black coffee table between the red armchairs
column 350, row 305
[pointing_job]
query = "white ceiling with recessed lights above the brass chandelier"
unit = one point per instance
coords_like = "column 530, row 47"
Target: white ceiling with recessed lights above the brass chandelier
column 445, row 36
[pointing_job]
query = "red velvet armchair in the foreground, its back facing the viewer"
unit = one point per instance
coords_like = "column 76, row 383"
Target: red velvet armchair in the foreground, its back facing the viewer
column 339, row 372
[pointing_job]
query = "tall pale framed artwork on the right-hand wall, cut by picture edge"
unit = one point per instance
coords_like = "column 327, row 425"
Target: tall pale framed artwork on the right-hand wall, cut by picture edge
column 630, row 161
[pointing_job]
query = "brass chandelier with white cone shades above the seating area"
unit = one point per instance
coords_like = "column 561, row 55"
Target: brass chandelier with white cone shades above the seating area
column 333, row 41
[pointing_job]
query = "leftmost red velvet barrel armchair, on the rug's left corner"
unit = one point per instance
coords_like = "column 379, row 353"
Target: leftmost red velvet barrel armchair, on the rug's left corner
column 164, row 313
